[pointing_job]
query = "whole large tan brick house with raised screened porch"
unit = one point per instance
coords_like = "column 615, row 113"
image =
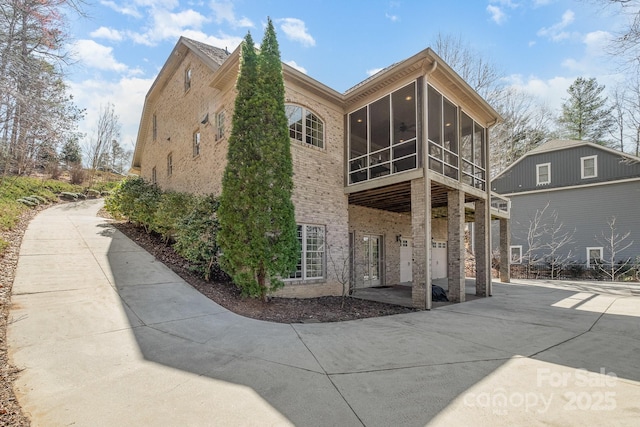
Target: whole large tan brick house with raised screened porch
column 385, row 174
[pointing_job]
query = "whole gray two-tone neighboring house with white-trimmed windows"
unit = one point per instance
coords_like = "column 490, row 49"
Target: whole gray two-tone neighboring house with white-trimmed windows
column 583, row 186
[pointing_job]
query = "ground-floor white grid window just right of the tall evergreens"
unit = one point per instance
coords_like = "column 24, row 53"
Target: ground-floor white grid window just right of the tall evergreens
column 311, row 261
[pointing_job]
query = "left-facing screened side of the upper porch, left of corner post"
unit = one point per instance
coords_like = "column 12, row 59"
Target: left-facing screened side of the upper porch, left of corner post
column 383, row 136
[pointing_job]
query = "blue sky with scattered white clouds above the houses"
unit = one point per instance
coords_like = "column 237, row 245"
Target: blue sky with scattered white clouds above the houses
column 540, row 45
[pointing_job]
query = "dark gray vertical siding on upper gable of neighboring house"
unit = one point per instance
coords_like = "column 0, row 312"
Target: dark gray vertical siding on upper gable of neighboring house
column 565, row 170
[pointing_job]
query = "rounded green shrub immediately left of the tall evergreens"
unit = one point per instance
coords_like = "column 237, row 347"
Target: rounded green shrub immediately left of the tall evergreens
column 196, row 238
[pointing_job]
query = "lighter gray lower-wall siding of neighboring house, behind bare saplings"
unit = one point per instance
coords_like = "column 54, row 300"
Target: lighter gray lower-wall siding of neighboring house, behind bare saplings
column 585, row 210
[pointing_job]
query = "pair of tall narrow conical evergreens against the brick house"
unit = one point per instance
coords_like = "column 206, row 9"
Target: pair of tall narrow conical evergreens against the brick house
column 258, row 233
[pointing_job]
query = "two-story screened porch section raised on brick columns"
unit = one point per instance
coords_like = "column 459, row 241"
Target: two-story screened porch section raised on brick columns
column 416, row 170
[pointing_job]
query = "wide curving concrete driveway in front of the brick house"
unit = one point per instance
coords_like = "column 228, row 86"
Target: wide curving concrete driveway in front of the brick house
column 108, row 336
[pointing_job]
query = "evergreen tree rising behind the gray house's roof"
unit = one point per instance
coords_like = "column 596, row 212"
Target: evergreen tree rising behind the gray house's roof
column 585, row 114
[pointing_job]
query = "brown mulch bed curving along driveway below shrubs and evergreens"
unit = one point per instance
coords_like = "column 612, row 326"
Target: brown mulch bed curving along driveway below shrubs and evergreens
column 282, row 310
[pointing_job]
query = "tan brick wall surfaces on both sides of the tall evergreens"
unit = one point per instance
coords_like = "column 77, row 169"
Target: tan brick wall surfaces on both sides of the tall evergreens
column 318, row 172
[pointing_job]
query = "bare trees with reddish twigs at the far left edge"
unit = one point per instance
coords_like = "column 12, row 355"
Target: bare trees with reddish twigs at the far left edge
column 34, row 108
